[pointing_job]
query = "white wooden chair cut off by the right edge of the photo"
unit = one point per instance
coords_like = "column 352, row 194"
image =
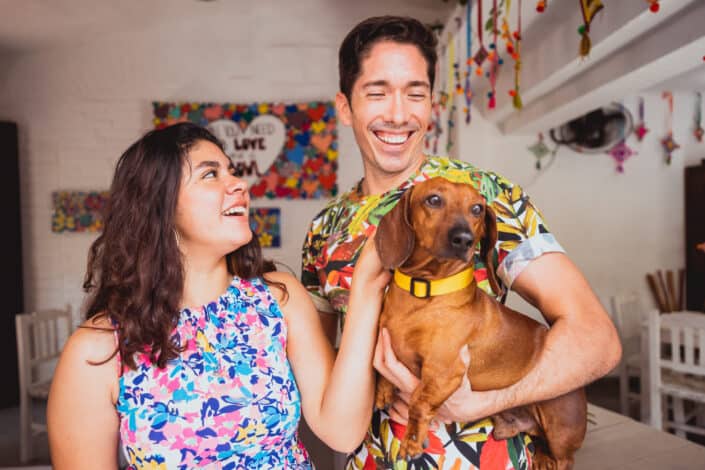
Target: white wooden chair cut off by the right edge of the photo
column 676, row 368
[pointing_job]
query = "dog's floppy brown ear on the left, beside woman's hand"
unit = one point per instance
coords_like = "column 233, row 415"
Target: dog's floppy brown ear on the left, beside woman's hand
column 394, row 239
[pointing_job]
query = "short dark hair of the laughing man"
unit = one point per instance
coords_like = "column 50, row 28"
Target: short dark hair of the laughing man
column 404, row 30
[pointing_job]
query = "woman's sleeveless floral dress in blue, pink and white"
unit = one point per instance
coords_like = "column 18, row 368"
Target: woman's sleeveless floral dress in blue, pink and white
column 229, row 401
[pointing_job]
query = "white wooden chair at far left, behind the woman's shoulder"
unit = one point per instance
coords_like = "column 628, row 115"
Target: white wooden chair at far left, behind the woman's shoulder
column 40, row 337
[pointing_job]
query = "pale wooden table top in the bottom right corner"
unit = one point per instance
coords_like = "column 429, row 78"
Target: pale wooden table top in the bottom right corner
column 617, row 442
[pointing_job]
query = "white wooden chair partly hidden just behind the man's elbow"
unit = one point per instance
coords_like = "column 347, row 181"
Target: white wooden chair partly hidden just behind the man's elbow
column 628, row 313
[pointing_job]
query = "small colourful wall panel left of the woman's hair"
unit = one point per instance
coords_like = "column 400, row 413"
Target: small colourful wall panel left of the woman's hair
column 78, row 211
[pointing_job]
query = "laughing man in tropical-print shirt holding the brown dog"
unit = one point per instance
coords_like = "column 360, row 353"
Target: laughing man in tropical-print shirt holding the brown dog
column 386, row 67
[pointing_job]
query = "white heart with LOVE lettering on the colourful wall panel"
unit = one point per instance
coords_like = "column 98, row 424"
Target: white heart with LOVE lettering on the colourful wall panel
column 252, row 149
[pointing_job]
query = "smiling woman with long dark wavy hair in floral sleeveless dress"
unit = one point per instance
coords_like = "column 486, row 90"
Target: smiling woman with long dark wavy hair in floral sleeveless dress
column 195, row 353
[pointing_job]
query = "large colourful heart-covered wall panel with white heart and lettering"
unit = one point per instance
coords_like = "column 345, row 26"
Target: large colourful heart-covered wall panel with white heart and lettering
column 283, row 150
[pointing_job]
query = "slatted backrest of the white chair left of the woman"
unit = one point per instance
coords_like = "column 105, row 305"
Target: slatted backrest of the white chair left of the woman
column 40, row 338
